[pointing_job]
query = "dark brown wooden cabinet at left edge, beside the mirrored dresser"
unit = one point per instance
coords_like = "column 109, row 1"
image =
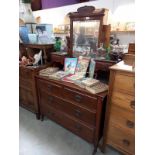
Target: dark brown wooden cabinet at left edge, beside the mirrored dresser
column 27, row 88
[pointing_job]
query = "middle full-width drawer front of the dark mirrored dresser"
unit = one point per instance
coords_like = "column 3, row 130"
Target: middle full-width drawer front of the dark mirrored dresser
column 69, row 108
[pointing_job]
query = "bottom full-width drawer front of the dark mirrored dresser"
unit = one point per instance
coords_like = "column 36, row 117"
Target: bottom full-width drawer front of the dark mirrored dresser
column 71, row 124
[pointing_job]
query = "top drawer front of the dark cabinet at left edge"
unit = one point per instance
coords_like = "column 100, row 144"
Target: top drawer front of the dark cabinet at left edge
column 25, row 73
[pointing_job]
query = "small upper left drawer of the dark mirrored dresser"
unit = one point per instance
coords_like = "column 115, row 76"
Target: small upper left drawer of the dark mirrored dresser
column 50, row 88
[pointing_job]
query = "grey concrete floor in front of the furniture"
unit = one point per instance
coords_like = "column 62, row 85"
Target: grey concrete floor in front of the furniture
column 49, row 138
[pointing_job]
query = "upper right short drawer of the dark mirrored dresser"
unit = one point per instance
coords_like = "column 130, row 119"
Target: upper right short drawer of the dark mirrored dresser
column 80, row 99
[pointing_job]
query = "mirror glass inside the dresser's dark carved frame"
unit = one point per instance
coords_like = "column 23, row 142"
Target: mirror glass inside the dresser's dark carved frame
column 85, row 37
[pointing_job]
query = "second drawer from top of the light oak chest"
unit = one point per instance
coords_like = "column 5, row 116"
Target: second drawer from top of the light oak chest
column 123, row 100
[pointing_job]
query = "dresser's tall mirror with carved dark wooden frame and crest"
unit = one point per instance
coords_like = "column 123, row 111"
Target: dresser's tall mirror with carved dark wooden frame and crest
column 86, row 30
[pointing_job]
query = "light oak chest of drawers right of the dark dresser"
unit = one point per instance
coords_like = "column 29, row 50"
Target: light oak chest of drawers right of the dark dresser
column 119, row 129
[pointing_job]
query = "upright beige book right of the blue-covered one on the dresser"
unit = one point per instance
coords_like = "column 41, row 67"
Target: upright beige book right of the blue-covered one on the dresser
column 82, row 66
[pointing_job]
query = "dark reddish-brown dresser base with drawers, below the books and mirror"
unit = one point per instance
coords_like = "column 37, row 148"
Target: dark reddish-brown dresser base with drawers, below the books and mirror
column 72, row 107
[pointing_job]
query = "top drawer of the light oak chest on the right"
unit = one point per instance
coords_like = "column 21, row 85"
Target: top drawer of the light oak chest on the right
column 124, row 83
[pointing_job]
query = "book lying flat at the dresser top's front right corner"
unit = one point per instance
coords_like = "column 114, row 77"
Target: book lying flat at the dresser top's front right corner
column 98, row 88
